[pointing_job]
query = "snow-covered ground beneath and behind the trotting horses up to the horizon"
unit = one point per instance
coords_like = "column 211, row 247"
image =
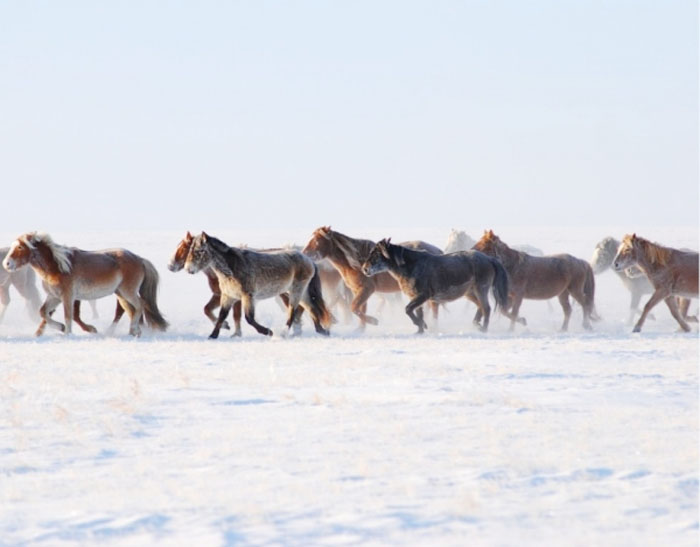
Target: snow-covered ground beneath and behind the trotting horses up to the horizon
column 453, row 438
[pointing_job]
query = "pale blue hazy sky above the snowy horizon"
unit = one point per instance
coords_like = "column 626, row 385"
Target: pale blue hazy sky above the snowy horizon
column 176, row 115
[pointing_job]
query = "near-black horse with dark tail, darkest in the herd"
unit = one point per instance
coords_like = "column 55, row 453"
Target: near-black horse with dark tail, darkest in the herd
column 440, row 278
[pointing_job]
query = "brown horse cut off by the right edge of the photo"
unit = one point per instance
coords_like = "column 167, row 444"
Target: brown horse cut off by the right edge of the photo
column 672, row 272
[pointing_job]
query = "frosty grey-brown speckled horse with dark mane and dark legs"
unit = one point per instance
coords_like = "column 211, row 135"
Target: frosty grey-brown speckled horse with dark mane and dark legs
column 247, row 276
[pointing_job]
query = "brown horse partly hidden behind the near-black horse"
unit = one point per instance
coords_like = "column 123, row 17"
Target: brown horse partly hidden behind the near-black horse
column 347, row 255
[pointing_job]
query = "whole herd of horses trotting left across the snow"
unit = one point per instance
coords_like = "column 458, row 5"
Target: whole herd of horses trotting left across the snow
column 335, row 271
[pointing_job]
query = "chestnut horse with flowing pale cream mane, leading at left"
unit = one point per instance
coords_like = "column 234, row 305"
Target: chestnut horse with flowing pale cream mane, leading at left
column 71, row 274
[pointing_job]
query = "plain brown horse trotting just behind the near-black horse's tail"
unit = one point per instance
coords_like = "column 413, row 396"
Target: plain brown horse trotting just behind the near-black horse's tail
column 545, row 277
